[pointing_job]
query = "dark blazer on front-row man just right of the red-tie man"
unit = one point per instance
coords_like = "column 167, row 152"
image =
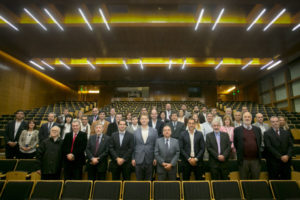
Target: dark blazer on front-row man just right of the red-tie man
column 102, row 152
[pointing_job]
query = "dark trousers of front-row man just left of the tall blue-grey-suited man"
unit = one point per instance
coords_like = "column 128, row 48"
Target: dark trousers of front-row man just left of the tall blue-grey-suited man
column 116, row 170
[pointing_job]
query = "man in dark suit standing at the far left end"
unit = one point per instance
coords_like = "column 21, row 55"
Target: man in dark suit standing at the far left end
column 12, row 133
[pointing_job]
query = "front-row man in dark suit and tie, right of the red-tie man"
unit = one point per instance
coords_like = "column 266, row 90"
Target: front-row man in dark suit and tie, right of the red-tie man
column 97, row 153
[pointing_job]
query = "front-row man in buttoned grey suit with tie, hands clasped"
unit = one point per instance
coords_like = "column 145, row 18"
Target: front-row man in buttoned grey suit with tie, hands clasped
column 167, row 152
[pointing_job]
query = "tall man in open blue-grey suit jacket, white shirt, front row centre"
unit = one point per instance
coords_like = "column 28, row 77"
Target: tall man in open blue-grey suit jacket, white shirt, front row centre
column 143, row 154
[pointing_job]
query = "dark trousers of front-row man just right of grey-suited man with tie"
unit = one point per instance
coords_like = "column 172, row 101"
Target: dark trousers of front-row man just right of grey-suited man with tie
column 188, row 168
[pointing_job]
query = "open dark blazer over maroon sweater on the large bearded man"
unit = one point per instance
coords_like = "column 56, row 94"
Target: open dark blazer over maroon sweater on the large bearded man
column 239, row 142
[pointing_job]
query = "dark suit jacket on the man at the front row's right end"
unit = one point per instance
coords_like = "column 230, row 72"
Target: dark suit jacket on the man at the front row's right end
column 277, row 146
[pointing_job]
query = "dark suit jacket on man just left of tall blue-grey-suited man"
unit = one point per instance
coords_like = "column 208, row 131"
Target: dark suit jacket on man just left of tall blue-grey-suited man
column 125, row 150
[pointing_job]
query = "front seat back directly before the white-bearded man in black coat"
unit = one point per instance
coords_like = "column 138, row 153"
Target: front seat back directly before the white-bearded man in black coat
column 47, row 190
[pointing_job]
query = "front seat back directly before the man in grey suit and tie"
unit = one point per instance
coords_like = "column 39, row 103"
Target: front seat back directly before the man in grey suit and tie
column 166, row 190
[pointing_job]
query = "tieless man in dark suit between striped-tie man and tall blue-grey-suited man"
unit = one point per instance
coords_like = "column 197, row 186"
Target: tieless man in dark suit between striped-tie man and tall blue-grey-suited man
column 120, row 149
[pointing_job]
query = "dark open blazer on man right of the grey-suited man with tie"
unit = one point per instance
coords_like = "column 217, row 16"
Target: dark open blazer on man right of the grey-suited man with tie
column 185, row 146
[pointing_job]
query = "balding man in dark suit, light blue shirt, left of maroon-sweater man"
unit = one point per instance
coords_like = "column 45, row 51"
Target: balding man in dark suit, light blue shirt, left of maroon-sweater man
column 218, row 146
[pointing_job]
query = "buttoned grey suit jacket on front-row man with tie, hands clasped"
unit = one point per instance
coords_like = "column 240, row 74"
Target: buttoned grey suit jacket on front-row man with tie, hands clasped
column 170, row 155
